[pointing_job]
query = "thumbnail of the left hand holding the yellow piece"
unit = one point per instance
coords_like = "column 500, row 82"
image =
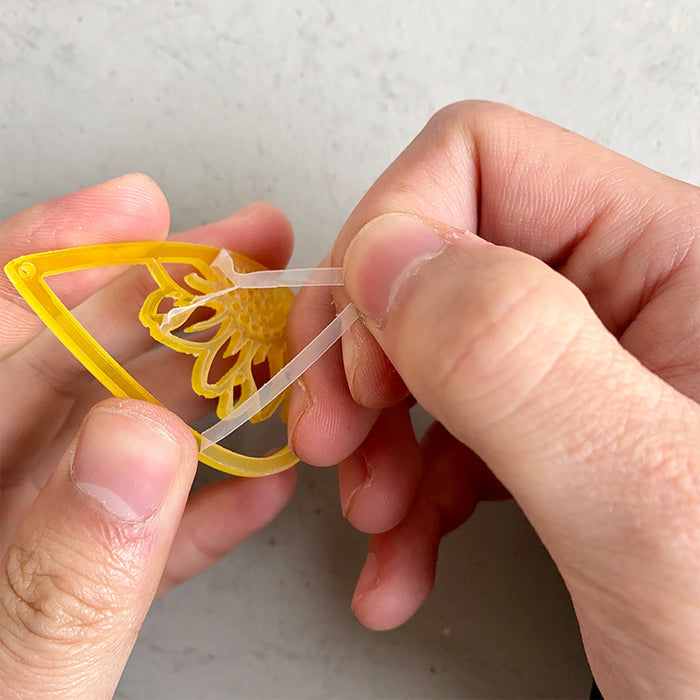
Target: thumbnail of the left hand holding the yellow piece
column 126, row 462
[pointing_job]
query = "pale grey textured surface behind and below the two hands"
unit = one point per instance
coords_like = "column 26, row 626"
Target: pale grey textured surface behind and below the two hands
column 304, row 104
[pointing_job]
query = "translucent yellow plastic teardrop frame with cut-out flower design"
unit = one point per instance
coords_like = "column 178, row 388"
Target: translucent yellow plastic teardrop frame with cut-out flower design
column 251, row 327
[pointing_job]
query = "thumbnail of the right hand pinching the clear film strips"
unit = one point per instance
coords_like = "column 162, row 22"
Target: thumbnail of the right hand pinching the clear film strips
column 383, row 256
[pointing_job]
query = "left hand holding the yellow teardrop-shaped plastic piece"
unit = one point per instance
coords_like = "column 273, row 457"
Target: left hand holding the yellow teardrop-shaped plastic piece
column 94, row 509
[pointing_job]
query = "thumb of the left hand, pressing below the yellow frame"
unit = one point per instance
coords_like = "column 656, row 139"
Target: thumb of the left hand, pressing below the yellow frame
column 83, row 567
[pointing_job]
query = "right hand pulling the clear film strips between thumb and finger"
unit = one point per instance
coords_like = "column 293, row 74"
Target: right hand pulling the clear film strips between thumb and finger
column 559, row 349
